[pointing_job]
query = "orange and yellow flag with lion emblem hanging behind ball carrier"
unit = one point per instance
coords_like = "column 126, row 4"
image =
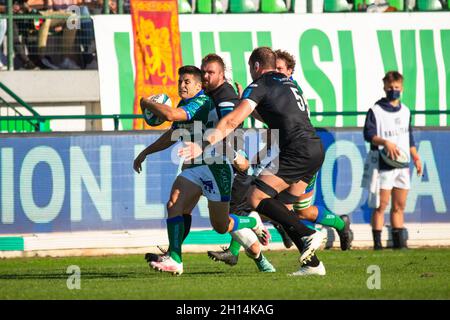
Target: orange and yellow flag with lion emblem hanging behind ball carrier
column 157, row 52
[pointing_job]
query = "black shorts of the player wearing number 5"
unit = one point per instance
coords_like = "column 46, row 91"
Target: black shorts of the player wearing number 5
column 299, row 161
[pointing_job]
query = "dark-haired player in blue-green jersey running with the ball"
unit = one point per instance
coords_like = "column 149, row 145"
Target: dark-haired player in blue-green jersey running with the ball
column 197, row 178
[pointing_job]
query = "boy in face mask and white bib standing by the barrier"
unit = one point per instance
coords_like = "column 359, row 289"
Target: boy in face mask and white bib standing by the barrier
column 388, row 126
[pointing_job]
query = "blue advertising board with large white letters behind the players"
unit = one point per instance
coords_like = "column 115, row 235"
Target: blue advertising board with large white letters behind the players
column 60, row 185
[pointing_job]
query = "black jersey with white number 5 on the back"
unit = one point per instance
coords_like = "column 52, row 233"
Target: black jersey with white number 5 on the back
column 282, row 107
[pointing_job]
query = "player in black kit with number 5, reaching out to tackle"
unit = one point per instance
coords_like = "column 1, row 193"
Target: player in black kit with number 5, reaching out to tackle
column 275, row 100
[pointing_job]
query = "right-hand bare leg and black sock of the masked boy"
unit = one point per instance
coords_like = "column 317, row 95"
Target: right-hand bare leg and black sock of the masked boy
column 397, row 218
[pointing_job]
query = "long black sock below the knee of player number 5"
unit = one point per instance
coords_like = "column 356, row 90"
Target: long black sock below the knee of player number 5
column 278, row 212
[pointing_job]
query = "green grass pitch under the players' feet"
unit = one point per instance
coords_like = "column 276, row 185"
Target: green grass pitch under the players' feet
column 409, row 274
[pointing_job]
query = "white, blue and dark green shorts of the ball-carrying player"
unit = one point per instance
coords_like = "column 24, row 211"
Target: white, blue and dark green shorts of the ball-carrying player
column 215, row 180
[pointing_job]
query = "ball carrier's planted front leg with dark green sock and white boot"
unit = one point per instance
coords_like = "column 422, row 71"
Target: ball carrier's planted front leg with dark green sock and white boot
column 182, row 195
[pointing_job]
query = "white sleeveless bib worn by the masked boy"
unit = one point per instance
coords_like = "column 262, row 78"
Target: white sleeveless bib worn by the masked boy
column 393, row 126
